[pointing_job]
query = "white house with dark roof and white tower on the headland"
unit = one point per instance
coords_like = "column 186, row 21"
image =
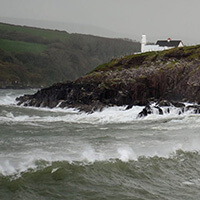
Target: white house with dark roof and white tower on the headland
column 160, row 44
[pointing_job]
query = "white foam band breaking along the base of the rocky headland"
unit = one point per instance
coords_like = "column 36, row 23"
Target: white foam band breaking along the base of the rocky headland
column 107, row 116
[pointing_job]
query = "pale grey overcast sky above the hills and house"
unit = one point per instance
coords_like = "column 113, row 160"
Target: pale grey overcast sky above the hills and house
column 158, row 19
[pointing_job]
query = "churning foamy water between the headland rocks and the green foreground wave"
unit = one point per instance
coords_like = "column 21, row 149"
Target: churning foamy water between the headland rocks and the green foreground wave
column 43, row 136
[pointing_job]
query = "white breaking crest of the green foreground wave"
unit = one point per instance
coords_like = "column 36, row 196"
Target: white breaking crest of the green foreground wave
column 15, row 164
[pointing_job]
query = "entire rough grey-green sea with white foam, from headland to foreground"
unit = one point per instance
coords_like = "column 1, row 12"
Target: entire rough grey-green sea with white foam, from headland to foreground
column 64, row 154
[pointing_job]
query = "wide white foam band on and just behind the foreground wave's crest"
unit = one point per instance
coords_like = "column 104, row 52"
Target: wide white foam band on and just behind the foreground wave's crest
column 18, row 162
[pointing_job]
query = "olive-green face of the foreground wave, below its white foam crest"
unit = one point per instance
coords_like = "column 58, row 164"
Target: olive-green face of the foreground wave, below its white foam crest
column 139, row 179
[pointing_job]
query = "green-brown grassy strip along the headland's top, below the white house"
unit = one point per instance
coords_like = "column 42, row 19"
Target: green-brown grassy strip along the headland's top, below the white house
column 135, row 60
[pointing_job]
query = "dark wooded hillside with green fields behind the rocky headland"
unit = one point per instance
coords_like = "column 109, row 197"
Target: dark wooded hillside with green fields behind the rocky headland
column 35, row 57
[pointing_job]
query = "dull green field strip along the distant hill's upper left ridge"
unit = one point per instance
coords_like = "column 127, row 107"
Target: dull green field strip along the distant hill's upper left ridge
column 43, row 33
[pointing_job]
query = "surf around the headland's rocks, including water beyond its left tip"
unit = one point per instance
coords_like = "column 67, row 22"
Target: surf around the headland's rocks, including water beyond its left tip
column 108, row 115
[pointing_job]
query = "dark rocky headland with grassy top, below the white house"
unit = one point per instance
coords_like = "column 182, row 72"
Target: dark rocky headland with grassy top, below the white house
column 133, row 80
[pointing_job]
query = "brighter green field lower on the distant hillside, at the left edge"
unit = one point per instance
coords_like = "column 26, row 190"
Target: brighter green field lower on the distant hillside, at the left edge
column 19, row 46
